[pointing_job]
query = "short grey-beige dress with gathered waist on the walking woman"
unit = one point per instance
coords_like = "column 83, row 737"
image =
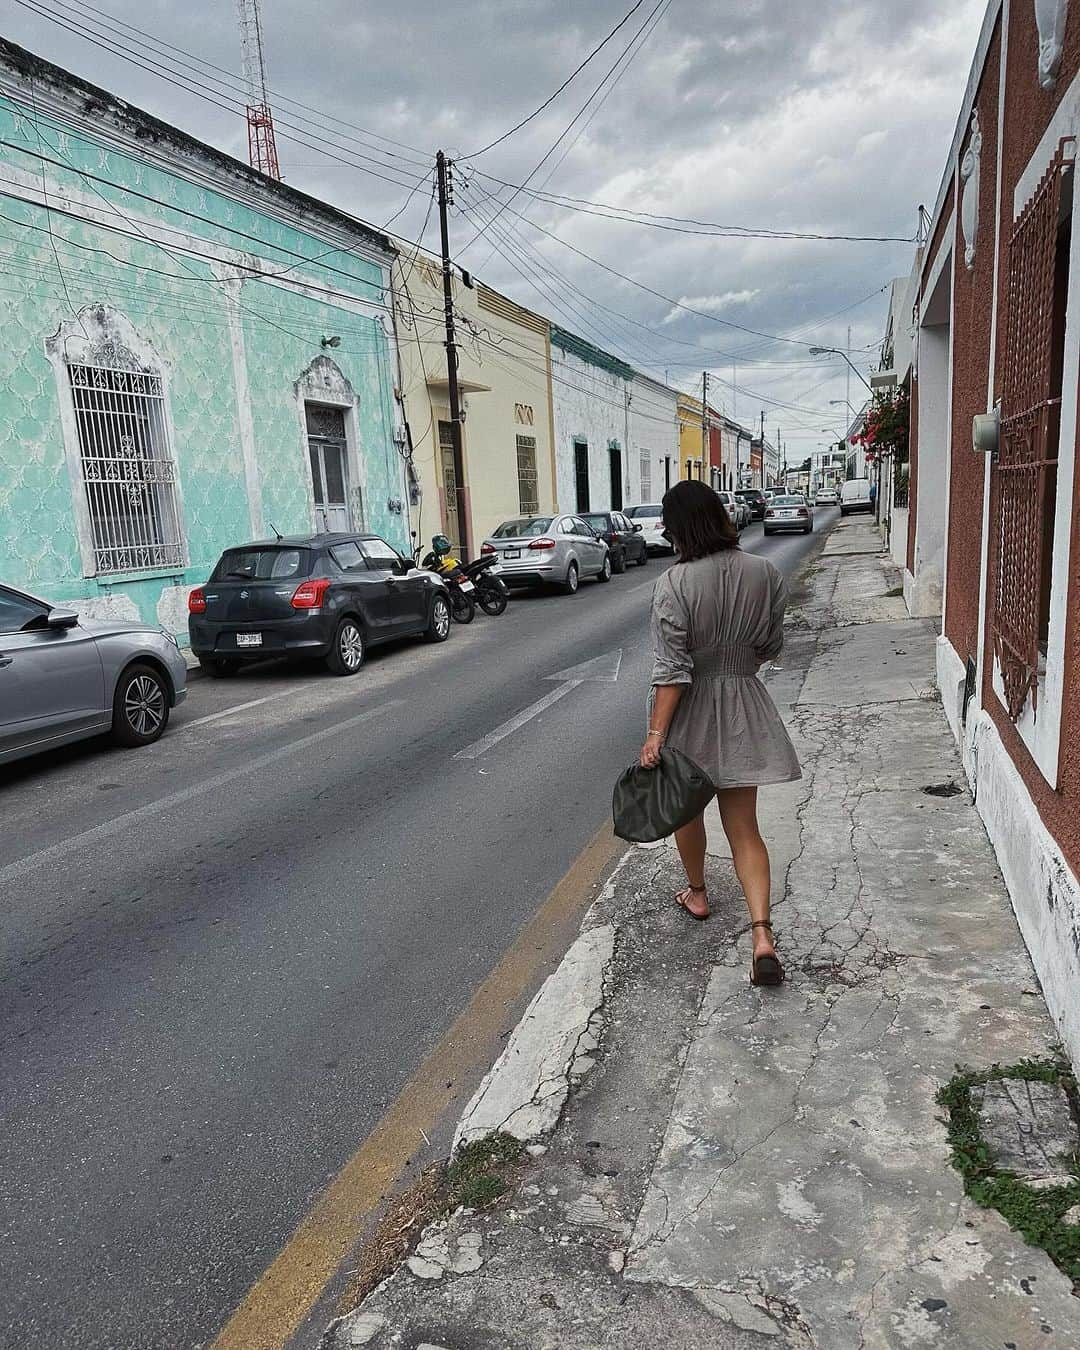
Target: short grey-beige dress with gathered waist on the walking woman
column 715, row 623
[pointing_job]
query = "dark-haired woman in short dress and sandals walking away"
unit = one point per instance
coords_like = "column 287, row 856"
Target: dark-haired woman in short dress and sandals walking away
column 718, row 616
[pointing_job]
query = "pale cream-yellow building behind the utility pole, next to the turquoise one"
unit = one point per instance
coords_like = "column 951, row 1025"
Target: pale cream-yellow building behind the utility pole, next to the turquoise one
column 504, row 373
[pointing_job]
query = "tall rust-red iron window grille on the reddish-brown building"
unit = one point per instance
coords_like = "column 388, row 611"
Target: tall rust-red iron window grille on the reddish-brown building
column 1024, row 483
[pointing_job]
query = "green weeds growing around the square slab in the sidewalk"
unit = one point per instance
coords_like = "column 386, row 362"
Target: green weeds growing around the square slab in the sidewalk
column 1035, row 1214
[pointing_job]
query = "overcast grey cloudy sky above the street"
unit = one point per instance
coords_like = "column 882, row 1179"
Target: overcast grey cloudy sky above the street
column 831, row 117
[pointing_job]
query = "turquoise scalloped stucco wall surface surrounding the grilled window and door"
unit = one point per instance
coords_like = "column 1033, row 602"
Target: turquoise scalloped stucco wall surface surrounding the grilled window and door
column 117, row 246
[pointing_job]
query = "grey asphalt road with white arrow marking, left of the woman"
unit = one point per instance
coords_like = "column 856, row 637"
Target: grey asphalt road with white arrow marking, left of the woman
column 223, row 958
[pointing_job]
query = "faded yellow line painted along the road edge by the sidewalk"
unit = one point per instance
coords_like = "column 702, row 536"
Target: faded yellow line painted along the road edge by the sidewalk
column 286, row 1294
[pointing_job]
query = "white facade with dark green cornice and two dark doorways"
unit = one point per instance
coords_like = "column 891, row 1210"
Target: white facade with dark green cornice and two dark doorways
column 592, row 396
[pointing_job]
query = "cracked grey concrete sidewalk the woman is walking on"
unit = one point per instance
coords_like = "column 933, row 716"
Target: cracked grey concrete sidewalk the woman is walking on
column 718, row 1166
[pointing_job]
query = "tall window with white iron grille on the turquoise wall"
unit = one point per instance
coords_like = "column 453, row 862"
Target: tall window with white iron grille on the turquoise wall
column 129, row 475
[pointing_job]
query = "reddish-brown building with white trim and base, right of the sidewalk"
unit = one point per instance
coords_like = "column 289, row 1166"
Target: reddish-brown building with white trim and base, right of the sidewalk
column 993, row 542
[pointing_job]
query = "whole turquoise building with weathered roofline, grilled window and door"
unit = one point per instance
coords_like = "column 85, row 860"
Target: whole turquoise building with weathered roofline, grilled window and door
column 191, row 356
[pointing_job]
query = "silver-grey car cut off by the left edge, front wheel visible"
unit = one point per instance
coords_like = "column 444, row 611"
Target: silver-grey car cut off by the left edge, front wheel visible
column 64, row 678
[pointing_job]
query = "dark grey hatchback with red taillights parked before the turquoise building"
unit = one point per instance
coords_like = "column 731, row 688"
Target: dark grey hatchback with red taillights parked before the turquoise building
column 313, row 597
